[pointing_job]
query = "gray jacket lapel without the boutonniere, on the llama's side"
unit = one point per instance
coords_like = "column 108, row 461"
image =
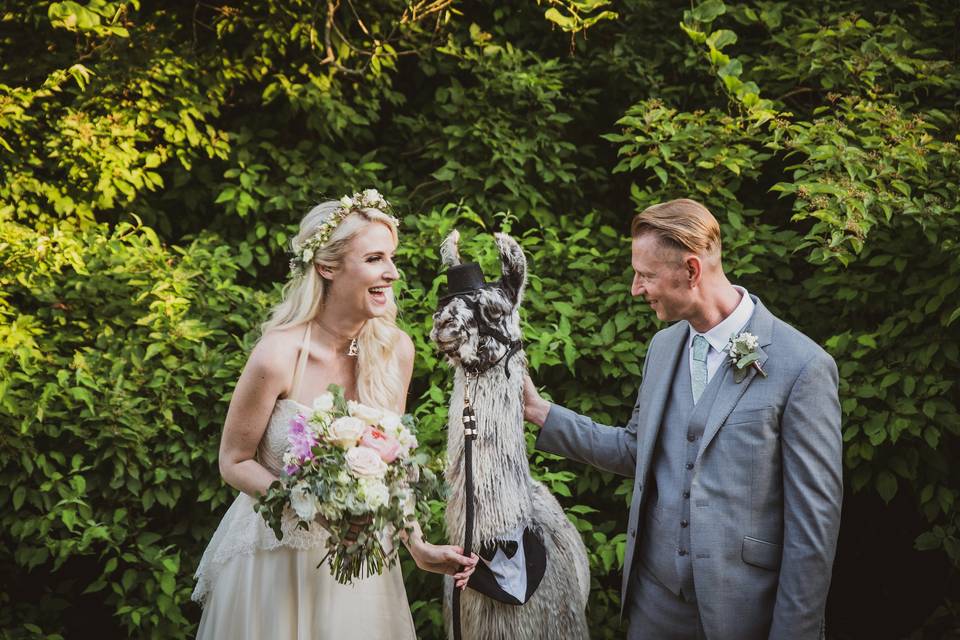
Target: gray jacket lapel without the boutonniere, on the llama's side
column 662, row 369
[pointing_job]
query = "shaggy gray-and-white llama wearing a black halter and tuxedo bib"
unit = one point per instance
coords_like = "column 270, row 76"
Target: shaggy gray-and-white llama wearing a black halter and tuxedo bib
column 479, row 332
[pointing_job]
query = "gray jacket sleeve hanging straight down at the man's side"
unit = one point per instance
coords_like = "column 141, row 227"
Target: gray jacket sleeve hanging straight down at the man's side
column 811, row 446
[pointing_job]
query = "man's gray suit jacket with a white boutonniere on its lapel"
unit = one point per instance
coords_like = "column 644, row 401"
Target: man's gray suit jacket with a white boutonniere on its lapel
column 767, row 489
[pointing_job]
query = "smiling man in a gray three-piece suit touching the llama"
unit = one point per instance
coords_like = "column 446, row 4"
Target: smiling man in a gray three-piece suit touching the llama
column 736, row 506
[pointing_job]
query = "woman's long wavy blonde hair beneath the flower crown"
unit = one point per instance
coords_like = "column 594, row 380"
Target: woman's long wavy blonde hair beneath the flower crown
column 379, row 381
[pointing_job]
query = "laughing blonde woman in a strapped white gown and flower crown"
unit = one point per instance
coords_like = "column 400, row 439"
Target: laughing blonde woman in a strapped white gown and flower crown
column 336, row 324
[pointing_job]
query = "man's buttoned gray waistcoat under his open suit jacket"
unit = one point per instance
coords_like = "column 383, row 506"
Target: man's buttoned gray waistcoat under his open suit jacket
column 665, row 535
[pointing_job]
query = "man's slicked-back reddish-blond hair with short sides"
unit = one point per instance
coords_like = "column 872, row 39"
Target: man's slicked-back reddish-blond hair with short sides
column 685, row 225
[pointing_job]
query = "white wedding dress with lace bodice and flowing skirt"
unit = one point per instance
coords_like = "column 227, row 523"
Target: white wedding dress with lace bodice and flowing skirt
column 253, row 586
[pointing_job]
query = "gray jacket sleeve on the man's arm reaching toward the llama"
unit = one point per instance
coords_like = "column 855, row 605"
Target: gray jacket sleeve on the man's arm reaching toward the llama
column 579, row 438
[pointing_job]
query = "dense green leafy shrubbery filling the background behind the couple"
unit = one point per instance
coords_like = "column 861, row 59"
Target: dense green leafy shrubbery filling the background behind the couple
column 155, row 156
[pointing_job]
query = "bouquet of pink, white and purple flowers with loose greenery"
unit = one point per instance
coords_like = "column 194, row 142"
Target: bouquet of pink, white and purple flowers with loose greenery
column 353, row 468
